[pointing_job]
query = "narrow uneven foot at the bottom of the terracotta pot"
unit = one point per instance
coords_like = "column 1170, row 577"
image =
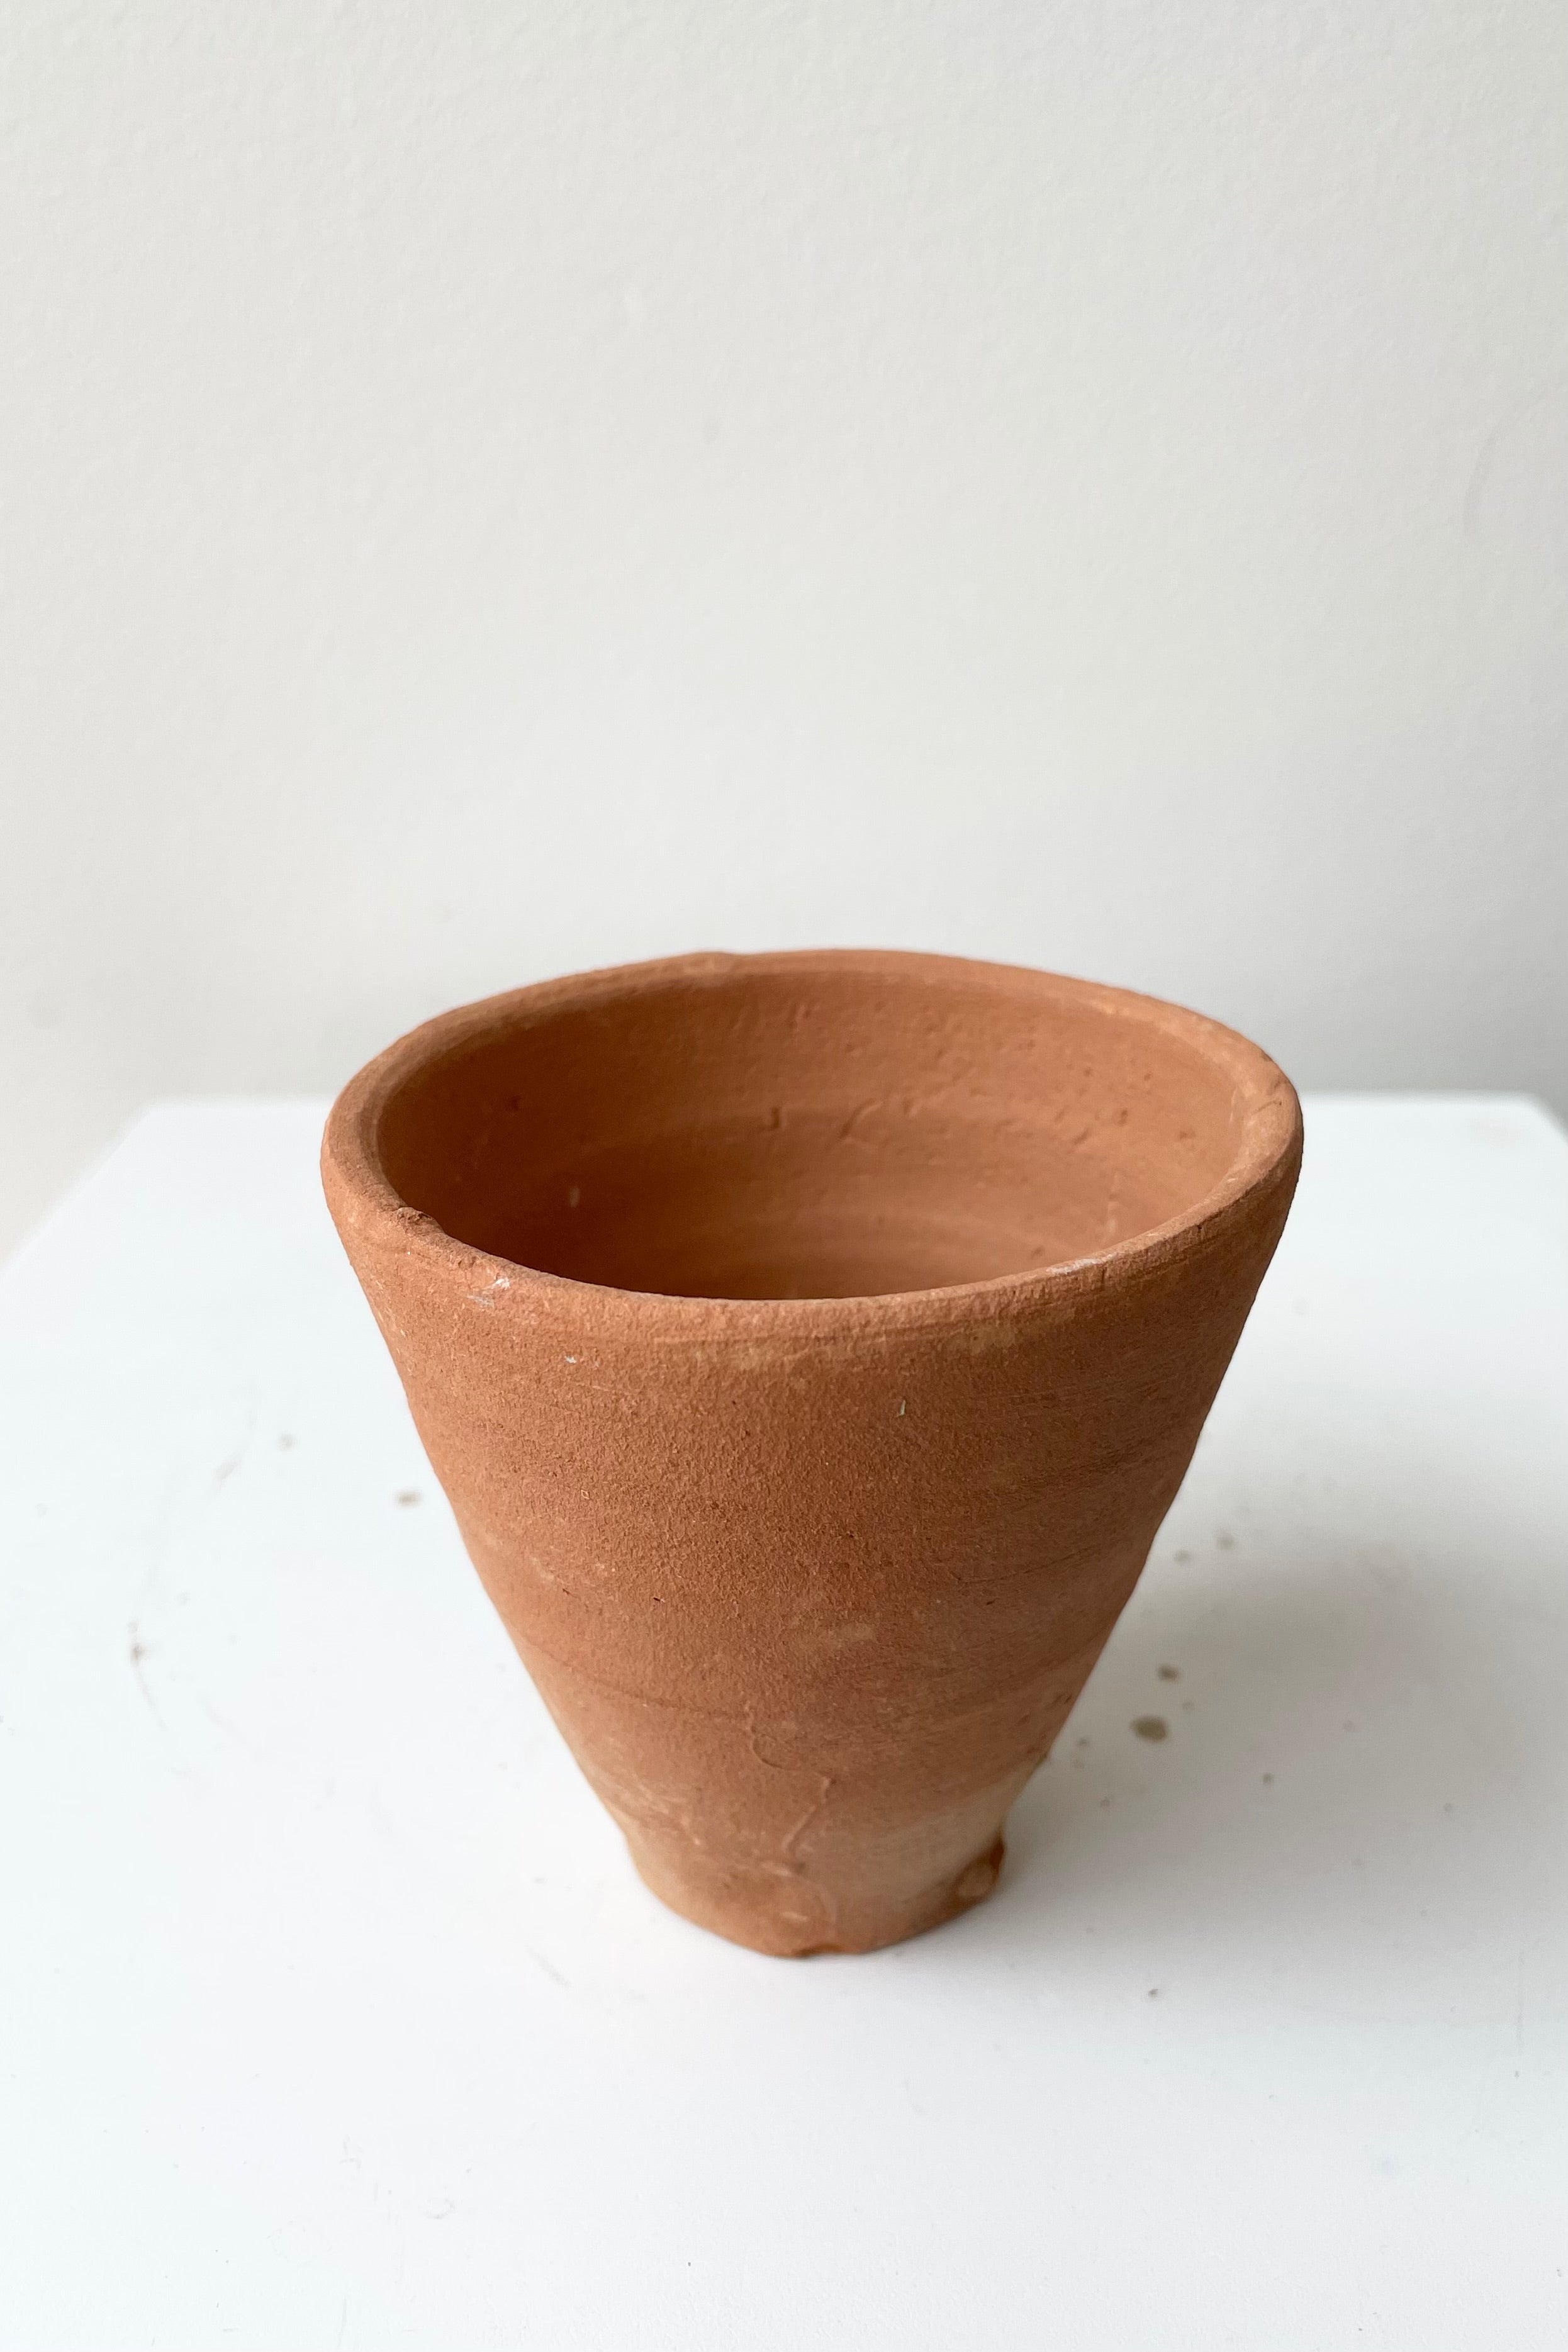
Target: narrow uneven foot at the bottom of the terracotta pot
column 793, row 1918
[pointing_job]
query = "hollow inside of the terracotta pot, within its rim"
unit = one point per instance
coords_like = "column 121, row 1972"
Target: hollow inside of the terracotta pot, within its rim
column 815, row 1132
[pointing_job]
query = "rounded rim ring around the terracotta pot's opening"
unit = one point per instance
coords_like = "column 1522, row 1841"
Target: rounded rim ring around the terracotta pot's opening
column 1268, row 1154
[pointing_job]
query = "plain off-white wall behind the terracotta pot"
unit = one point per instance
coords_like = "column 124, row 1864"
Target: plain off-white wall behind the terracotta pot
column 500, row 488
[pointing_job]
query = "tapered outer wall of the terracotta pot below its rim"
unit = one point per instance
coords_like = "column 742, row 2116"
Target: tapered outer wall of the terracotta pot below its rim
column 810, row 1610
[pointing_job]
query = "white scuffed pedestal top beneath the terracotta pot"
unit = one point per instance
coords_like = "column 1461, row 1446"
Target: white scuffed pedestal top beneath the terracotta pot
column 333, row 2017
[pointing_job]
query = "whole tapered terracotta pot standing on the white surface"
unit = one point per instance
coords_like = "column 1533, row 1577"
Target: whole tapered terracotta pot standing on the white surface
column 810, row 1349
